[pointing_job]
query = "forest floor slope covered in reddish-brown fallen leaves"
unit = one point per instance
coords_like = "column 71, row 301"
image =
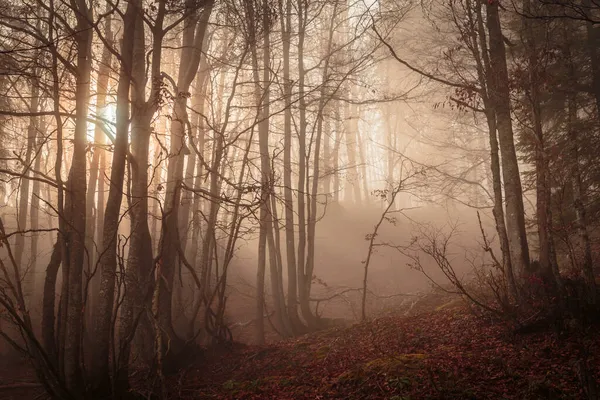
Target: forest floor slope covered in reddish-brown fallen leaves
column 445, row 354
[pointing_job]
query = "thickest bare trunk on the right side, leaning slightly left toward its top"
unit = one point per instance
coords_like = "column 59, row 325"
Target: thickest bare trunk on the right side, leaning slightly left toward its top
column 500, row 96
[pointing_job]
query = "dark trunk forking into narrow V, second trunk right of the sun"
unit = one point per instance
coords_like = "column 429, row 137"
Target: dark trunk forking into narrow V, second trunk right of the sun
column 135, row 333
